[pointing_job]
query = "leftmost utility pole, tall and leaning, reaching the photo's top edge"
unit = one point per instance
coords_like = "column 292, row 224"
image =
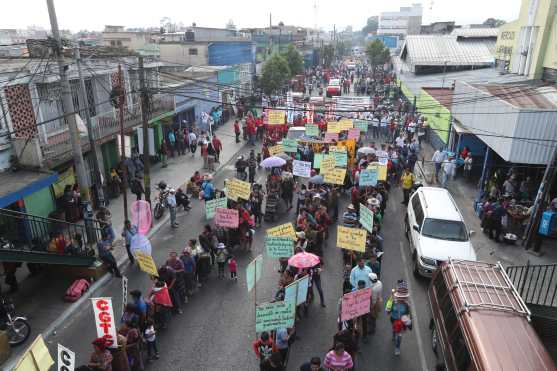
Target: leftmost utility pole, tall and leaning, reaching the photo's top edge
column 69, row 116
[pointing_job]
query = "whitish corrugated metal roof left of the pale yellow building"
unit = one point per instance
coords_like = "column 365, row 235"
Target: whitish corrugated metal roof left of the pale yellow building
column 439, row 50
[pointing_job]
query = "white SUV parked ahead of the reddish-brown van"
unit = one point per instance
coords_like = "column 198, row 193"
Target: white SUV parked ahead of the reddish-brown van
column 436, row 230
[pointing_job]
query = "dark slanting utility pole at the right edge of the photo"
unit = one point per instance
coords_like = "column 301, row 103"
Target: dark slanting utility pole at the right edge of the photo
column 534, row 222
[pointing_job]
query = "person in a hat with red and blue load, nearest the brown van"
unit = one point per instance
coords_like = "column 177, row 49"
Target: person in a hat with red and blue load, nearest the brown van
column 398, row 309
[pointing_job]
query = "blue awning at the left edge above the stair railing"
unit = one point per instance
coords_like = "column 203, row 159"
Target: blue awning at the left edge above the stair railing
column 17, row 185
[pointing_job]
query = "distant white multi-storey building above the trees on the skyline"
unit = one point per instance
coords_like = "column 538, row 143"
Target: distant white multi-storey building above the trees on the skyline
column 407, row 21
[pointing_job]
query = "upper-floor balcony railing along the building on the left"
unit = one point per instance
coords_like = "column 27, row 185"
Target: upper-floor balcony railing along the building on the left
column 58, row 149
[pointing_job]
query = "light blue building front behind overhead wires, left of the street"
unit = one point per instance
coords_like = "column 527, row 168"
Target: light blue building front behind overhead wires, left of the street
column 202, row 96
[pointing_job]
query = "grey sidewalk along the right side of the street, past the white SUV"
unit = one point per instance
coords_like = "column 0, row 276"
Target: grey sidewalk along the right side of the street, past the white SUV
column 464, row 192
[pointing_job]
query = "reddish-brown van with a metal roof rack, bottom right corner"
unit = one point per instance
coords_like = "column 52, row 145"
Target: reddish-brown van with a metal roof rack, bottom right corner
column 480, row 322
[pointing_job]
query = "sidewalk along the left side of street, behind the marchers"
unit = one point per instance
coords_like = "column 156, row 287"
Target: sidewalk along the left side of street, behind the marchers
column 40, row 298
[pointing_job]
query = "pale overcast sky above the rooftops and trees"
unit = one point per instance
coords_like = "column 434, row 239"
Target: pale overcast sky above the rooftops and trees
column 94, row 14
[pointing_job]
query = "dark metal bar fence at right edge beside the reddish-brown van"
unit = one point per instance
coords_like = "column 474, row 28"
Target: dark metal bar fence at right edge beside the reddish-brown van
column 536, row 284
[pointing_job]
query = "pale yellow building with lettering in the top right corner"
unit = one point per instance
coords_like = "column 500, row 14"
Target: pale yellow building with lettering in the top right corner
column 527, row 46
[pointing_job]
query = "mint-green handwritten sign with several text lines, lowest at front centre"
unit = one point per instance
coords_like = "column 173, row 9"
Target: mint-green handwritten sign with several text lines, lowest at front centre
column 272, row 316
